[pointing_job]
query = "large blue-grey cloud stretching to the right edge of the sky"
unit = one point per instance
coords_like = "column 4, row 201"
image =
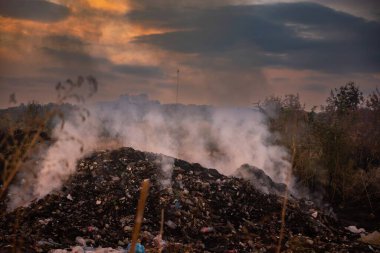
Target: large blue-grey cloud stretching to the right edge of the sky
column 291, row 35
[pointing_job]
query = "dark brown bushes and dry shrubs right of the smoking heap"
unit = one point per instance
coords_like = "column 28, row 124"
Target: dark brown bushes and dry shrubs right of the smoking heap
column 336, row 149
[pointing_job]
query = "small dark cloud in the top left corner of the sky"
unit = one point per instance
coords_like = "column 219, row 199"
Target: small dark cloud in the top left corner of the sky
column 37, row 10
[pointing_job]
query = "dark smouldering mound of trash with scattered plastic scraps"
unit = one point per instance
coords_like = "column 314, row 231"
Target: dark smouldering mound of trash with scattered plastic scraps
column 204, row 211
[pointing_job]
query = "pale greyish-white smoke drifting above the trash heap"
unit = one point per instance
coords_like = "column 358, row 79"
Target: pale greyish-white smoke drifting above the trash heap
column 221, row 138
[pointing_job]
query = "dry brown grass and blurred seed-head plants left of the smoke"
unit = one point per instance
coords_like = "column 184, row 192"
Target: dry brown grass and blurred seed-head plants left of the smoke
column 23, row 128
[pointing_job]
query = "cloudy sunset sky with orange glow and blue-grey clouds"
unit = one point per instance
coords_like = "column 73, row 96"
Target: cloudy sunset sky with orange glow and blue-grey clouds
column 232, row 52
